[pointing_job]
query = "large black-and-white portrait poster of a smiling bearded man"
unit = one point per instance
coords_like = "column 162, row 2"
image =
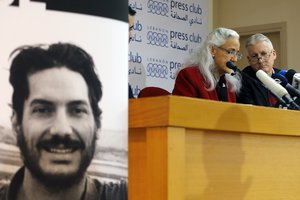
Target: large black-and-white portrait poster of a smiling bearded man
column 64, row 100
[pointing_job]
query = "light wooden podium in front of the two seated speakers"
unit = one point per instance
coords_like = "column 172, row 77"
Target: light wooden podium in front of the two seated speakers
column 191, row 149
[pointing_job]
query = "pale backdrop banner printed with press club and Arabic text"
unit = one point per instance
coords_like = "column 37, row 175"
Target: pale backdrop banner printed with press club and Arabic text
column 165, row 33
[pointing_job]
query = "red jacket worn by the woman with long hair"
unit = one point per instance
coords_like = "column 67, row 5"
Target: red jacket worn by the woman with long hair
column 190, row 82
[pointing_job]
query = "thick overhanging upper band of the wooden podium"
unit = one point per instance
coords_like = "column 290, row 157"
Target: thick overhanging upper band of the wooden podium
column 177, row 111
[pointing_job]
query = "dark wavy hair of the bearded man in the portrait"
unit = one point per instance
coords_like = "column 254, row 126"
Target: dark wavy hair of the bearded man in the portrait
column 31, row 59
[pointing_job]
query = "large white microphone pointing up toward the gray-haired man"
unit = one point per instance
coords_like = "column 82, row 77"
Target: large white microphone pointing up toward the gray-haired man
column 276, row 88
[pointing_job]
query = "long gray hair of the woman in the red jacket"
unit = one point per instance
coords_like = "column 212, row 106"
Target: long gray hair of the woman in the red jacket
column 202, row 57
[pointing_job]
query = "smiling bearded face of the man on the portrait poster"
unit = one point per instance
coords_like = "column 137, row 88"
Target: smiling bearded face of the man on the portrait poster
column 58, row 131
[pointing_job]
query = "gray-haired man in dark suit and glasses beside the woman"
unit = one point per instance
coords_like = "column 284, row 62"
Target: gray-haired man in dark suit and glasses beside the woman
column 261, row 56
